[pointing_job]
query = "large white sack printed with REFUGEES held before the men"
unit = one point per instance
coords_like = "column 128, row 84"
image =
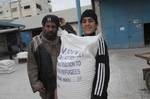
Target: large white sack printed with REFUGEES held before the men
column 76, row 66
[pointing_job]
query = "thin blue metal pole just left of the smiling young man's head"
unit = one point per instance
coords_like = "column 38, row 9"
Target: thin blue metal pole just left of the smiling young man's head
column 78, row 16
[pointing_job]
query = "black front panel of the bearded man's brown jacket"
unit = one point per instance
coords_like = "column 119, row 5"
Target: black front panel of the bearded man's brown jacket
column 45, row 66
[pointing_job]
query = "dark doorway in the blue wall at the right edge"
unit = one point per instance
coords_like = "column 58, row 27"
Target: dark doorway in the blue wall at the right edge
column 147, row 33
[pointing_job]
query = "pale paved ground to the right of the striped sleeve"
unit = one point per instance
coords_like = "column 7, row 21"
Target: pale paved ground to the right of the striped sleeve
column 126, row 81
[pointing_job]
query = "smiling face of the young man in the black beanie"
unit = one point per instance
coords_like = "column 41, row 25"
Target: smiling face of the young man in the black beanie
column 88, row 25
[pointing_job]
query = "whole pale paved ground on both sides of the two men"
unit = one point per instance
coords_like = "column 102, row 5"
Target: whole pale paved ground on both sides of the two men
column 126, row 78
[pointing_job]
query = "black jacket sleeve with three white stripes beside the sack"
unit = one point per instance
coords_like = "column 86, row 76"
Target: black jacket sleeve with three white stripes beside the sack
column 102, row 72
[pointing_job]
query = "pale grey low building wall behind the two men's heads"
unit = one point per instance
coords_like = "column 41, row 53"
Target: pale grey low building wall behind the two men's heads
column 69, row 15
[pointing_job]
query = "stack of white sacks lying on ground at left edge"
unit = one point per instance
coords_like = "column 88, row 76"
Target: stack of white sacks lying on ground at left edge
column 7, row 66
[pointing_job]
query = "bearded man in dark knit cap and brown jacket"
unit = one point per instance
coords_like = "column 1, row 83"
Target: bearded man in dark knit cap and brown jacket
column 42, row 58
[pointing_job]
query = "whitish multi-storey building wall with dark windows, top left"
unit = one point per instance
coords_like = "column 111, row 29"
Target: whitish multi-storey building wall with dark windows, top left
column 24, row 8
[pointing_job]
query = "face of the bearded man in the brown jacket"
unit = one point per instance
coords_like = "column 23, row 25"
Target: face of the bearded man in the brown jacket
column 50, row 29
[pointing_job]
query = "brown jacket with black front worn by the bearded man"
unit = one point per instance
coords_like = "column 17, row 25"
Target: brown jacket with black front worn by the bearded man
column 42, row 61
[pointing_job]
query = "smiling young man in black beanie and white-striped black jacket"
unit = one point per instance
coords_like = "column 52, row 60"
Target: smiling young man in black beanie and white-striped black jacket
column 89, row 25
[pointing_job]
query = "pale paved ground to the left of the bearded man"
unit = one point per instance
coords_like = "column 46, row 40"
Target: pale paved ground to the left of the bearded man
column 16, row 85
